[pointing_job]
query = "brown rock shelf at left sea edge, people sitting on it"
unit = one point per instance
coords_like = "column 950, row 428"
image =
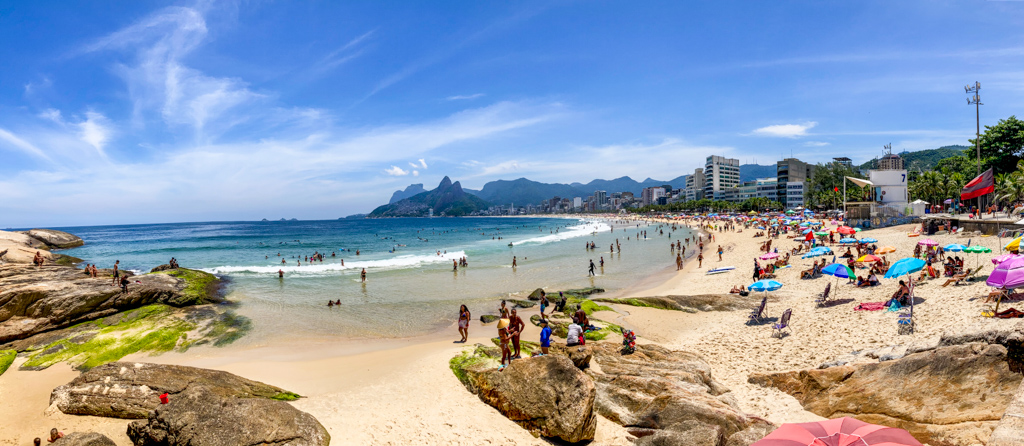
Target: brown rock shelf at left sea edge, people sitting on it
column 37, row 300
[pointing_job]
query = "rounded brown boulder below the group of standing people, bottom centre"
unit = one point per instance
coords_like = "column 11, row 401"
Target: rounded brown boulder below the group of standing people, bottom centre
column 546, row 395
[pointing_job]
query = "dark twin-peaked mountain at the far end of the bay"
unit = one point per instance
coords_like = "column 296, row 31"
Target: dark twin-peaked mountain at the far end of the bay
column 448, row 200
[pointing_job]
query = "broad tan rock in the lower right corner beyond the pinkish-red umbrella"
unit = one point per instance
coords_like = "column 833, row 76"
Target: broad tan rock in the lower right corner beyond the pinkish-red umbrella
column 952, row 395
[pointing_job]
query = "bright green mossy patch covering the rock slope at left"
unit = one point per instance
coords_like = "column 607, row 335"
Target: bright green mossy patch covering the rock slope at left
column 155, row 329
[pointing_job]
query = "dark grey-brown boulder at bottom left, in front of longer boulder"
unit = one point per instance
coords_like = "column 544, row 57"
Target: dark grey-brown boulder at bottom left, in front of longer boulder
column 201, row 417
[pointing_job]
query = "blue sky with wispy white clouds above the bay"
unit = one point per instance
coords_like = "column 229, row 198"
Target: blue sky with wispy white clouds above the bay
column 139, row 112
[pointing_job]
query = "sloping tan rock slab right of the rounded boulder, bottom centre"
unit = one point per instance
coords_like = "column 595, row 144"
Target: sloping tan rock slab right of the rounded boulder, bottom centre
column 670, row 397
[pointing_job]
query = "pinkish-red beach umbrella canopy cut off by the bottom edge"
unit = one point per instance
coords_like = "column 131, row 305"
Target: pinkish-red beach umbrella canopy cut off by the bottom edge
column 839, row 432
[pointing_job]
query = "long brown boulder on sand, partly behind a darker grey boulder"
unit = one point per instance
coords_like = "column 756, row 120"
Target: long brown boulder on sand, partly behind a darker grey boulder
column 127, row 390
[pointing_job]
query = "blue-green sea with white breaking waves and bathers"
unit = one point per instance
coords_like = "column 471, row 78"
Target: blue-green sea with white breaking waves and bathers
column 411, row 288
